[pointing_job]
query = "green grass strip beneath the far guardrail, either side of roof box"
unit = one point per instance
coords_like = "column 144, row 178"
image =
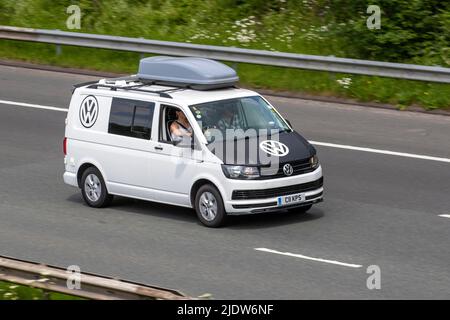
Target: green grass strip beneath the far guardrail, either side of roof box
column 401, row 93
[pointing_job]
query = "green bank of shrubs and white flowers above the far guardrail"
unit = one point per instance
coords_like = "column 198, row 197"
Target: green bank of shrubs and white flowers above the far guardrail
column 412, row 30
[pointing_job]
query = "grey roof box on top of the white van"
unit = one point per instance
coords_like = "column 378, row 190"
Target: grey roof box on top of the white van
column 195, row 73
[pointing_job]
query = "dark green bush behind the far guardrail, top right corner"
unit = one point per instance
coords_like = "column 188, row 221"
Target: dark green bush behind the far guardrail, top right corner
column 411, row 30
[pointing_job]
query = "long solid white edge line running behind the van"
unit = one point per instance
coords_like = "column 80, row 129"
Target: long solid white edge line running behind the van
column 318, row 143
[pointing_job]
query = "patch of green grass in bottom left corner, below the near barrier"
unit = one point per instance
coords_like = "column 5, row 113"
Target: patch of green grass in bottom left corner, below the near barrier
column 12, row 291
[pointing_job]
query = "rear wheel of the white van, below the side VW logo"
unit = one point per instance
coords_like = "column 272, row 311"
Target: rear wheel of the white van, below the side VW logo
column 93, row 189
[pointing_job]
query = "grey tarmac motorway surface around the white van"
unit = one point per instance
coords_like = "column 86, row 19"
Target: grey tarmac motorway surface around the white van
column 379, row 209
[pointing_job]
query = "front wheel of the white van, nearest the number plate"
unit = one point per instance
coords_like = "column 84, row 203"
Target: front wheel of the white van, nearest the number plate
column 209, row 206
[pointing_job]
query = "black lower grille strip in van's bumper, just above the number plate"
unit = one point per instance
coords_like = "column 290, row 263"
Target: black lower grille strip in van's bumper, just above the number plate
column 276, row 192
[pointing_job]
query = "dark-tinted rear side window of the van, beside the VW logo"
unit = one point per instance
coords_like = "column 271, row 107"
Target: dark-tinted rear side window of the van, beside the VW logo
column 131, row 118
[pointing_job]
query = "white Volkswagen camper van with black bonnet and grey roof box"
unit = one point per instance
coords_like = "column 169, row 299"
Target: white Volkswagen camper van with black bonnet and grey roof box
column 180, row 132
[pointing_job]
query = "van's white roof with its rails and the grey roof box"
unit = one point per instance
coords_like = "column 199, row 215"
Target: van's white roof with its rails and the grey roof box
column 191, row 80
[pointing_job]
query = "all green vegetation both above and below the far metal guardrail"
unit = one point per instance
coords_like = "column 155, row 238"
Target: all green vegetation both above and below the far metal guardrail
column 412, row 31
